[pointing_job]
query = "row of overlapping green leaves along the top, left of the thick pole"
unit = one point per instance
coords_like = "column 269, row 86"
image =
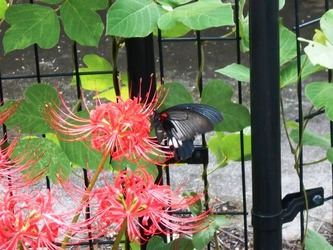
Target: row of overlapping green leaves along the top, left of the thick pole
column 126, row 18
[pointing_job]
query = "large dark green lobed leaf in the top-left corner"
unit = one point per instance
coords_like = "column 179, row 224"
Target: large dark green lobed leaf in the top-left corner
column 31, row 23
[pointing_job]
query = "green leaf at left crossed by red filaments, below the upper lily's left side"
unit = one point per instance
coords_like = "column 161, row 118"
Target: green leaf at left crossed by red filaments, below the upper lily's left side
column 52, row 163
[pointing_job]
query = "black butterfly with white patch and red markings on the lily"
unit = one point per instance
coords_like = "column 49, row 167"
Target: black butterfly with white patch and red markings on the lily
column 178, row 125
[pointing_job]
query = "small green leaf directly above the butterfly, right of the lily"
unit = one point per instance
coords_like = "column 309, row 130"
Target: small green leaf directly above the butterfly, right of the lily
column 176, row 93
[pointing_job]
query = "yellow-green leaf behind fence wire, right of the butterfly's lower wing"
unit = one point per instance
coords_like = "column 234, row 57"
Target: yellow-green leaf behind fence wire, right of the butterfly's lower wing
column 231, row 147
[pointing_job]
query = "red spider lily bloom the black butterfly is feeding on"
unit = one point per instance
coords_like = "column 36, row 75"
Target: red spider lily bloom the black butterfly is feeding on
column 121, row 129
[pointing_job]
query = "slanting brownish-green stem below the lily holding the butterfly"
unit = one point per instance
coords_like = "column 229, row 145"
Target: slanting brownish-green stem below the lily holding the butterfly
column 86, row 196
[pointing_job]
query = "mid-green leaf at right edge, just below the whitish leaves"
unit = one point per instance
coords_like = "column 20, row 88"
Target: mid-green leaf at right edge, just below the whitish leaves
column 321, row 96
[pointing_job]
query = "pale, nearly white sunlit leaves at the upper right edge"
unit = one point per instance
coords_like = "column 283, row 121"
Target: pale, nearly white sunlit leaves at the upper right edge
column 320, row 50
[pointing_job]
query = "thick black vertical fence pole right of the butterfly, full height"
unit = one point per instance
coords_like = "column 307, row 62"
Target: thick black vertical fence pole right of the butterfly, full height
column 265, row 118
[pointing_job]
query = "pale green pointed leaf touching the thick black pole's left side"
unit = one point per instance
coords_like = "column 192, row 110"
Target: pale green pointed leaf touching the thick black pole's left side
column 236, row 71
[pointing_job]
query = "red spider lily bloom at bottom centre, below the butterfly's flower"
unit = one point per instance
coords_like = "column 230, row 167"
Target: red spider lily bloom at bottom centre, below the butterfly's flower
column 136, row 200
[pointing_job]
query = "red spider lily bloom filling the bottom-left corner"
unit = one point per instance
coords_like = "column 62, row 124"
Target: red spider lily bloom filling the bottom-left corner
column 29, row 221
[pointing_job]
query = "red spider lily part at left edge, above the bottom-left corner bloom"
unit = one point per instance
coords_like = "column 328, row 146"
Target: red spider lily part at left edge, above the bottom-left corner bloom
column 12, row 166
